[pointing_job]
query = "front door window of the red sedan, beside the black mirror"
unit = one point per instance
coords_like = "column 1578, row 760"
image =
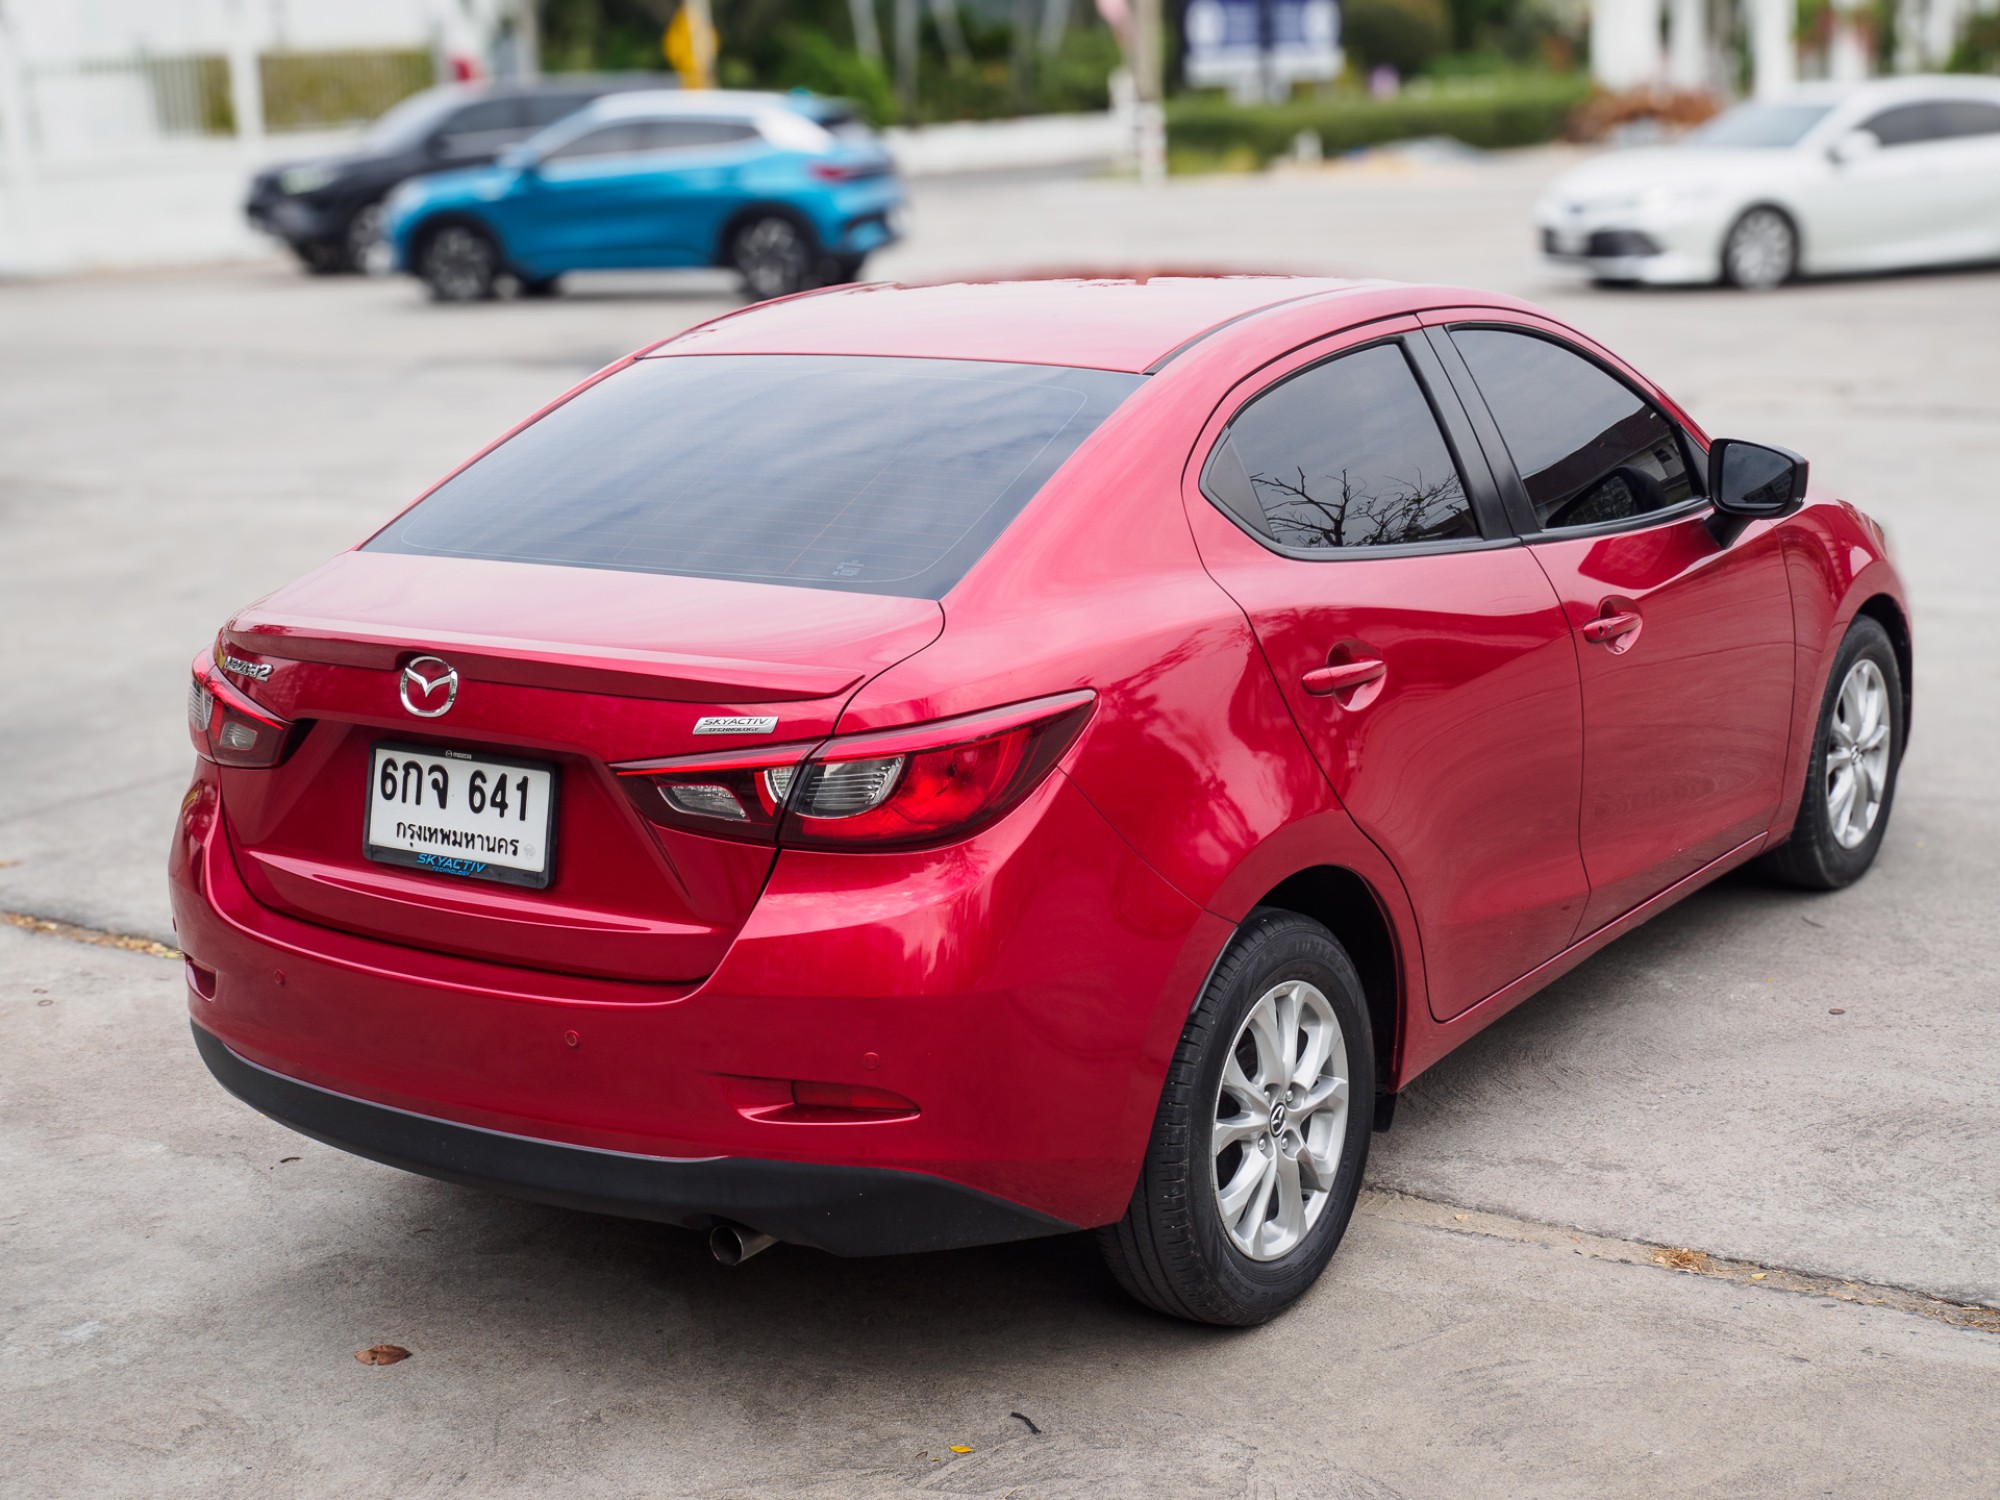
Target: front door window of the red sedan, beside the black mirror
column 1589, row 449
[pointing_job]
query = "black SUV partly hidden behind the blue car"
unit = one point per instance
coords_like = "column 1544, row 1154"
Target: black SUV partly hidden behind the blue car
column 331, row 209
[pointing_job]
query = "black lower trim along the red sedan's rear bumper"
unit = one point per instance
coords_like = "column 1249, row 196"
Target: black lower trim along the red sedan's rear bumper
column 851, row 1211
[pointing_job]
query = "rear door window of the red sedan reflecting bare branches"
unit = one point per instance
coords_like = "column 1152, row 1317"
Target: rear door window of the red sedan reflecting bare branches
column 1345, row 455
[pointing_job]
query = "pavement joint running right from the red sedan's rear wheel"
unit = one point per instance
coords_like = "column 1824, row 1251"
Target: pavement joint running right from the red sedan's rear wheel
column 1431, row 1213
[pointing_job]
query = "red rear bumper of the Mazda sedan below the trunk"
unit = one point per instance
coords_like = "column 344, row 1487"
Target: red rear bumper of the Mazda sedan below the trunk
column 1025, row 989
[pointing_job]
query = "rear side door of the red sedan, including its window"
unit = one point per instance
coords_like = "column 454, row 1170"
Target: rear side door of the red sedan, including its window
column 1341, row 501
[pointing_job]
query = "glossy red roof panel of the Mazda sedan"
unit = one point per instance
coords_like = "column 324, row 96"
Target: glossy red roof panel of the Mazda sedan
column 1093, row 323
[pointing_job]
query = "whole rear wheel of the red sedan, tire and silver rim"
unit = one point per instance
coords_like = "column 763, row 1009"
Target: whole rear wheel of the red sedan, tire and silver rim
column 1261, row 1139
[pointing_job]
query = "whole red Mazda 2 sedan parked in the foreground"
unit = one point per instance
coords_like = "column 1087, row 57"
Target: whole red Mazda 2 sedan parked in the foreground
column 921, row 767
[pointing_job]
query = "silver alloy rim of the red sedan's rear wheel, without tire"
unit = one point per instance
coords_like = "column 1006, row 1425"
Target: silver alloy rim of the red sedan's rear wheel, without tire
column 1281, row 1121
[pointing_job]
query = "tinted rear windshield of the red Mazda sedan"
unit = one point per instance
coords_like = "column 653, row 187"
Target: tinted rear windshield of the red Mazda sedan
column 867, row 475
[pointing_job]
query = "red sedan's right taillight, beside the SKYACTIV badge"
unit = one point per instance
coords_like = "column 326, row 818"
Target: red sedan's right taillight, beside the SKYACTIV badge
column 889, row 789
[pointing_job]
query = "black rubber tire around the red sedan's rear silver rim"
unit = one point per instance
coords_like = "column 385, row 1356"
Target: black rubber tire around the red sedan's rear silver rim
column 1173, row 1249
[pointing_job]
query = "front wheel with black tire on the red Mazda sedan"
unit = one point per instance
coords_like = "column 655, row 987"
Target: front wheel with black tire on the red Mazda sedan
column 1851, row 781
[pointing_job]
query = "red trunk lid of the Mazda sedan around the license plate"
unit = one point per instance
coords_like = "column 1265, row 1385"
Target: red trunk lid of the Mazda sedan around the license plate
column 573, row 667
